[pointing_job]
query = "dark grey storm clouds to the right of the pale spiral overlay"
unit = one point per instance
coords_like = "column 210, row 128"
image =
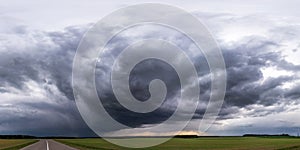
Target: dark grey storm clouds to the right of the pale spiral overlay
column 246, row 84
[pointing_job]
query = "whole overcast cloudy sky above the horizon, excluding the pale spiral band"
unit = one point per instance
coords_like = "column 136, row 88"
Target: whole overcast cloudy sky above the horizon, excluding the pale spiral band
column 259, row 41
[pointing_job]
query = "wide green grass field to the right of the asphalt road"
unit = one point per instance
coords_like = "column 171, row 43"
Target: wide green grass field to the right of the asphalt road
column 215, row 143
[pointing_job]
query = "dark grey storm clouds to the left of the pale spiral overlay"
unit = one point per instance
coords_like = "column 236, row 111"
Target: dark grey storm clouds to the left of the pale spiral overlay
column 35, row 82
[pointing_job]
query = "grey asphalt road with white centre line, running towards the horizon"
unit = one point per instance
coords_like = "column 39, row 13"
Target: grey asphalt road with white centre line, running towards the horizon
column 48, row 145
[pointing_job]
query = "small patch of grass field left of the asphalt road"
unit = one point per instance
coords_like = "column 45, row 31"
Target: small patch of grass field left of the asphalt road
column 15, row 144
